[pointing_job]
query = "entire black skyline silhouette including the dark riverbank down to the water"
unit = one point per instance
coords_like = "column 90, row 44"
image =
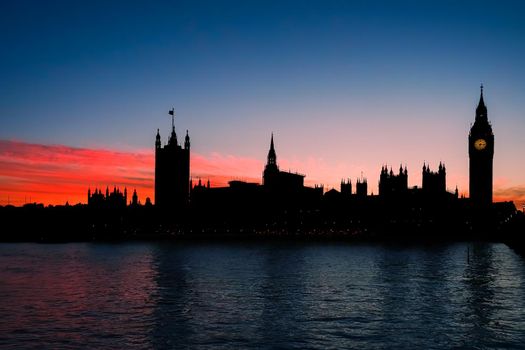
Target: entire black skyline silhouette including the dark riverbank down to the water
column 282, row 206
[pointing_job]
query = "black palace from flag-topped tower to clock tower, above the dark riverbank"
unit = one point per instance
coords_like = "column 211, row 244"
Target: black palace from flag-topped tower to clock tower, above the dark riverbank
column 175, row 190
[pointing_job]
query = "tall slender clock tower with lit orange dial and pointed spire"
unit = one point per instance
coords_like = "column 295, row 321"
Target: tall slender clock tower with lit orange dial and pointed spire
column 481, row 154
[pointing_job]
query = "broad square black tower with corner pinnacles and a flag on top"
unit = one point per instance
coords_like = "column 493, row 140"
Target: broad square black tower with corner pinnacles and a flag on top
column 172, row 171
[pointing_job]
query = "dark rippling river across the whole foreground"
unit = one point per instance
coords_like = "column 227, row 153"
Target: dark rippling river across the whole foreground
column 261, row 295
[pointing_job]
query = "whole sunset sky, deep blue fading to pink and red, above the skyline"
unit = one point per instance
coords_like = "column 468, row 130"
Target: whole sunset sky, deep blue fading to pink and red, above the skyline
column 345, row 86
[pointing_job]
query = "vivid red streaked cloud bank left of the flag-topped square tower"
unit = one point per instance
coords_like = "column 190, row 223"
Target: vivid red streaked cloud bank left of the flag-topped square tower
column 54, row 174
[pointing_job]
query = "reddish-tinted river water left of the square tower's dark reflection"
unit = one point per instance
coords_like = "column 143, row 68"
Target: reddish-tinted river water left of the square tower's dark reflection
column 75, row 294
